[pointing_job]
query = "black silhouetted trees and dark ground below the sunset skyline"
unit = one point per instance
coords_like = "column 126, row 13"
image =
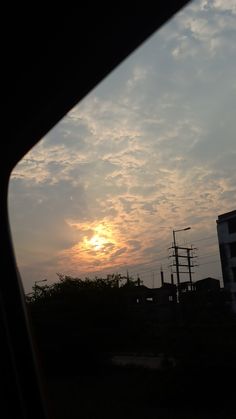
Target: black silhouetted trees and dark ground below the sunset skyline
column 79, row 326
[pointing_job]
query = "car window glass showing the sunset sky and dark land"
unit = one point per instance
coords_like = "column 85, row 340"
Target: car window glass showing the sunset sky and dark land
column 121, row 197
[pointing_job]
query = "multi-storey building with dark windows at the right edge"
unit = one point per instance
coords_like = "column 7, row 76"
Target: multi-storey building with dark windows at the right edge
column 226, row 229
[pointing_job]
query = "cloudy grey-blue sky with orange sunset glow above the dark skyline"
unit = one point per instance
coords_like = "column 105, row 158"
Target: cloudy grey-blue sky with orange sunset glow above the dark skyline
column 151, row 149
